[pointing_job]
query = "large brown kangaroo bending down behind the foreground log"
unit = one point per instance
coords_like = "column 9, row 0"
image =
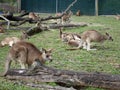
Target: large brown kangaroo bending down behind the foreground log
column 26, row 54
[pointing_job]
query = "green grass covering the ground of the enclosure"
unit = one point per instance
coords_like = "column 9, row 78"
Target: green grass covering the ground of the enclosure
column 105, row 59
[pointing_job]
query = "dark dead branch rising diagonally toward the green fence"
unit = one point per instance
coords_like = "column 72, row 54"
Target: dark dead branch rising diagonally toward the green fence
column 11, row 17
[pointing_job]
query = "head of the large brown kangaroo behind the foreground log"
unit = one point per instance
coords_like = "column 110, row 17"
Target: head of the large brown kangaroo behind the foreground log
column 46, row 54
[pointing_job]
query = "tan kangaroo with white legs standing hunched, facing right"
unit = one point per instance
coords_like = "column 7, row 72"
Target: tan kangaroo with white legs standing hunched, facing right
column 93, row 36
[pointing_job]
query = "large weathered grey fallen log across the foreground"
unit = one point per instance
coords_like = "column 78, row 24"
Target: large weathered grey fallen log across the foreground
column 67, row 78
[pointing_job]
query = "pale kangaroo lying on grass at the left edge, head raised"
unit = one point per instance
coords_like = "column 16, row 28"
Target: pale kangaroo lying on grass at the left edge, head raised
column 12, row 40
